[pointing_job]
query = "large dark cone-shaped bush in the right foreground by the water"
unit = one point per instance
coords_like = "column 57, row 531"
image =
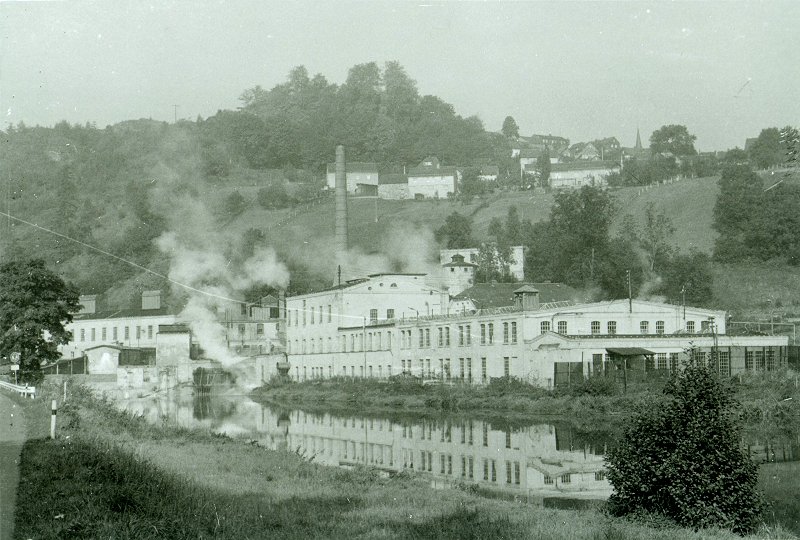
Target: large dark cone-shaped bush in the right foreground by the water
column 683, row 460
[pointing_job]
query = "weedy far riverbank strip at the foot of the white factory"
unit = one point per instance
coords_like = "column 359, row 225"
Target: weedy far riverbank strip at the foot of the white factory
column 769, row 401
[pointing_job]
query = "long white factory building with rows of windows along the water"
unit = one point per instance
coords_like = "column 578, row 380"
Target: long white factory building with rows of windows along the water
column 388, row 324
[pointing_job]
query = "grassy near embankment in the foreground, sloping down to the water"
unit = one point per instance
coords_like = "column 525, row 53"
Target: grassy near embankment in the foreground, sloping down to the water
column 112, row 475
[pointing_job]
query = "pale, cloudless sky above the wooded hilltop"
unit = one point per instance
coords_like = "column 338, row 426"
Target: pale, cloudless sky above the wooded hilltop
column 581, row 70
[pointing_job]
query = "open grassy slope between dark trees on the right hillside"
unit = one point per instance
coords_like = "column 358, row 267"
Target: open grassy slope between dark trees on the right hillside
column 688, row 203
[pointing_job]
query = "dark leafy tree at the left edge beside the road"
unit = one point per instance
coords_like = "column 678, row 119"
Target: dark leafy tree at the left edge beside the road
column 35, row 305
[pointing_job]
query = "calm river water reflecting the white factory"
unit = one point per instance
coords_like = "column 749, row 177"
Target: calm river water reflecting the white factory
column 552, row 464
